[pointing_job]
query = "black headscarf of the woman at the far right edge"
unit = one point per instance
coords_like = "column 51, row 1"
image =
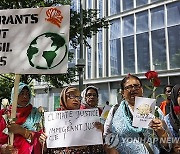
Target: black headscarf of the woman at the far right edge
column 174, row 120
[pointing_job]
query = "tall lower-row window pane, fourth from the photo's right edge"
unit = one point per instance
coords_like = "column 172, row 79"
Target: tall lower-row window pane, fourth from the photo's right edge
column 128, row 54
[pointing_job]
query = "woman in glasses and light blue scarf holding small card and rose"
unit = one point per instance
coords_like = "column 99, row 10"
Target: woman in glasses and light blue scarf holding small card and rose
column 119, row 132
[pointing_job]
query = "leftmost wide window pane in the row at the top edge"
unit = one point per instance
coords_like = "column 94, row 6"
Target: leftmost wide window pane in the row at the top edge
column 114, row 6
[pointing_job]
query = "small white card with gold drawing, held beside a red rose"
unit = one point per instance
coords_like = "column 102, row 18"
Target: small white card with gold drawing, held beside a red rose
column 144, row 109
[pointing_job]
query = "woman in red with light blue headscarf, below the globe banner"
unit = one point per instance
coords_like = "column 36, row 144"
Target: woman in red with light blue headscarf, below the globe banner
column 25, row 127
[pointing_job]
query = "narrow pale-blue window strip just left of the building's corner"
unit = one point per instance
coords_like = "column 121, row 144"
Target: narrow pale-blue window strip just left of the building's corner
column 100, row 54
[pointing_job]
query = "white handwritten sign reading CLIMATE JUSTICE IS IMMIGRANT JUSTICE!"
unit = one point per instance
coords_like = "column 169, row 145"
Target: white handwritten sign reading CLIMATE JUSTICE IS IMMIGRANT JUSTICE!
column 72, row 128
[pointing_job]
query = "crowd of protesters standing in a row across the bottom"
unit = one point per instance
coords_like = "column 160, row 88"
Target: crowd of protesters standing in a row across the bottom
column 31, row 139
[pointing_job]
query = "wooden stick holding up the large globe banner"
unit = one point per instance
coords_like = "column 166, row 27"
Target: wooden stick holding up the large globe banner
column 14, row 103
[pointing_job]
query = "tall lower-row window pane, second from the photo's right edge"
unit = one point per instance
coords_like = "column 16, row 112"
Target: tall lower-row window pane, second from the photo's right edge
column 159, row 49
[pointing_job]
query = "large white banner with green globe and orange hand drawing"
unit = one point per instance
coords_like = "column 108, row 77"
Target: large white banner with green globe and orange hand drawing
column 34, row 40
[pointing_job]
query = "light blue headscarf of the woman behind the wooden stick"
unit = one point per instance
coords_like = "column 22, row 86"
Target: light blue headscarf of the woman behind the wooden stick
column 21, row 86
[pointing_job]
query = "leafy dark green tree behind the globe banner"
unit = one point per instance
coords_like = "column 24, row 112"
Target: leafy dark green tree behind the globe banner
column 91, row 25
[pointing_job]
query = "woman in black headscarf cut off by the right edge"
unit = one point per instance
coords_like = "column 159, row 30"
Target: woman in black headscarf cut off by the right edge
column 173, row 118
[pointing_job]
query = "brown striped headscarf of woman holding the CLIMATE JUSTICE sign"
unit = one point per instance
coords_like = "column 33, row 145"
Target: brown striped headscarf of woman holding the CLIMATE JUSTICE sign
column 63, row 97
